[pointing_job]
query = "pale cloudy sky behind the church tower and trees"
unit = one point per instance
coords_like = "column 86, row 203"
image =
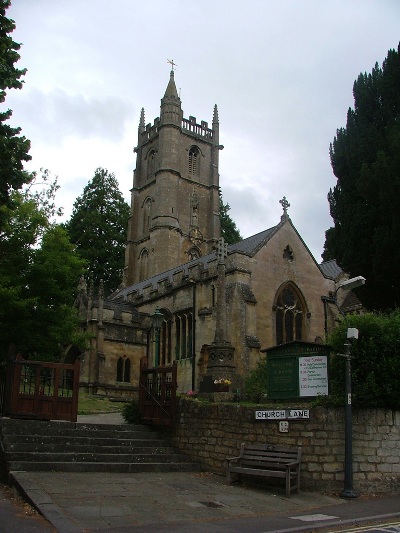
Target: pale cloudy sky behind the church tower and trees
column 280, row 71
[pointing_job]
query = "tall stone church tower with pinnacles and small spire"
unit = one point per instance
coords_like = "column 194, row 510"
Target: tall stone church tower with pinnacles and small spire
column 175, row 202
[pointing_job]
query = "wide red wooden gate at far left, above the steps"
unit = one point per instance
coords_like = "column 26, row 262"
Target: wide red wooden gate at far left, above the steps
column 46, row 391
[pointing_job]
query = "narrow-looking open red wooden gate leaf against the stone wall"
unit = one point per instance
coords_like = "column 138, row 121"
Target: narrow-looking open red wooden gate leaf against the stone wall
column 157, row 393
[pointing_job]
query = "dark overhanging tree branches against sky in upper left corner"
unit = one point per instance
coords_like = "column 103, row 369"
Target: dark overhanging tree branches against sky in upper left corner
column 13, row 148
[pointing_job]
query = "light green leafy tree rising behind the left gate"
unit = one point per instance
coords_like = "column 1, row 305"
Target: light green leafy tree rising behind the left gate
column 39, row 270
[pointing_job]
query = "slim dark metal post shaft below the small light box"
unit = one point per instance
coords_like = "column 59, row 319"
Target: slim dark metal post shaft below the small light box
column 348, row 491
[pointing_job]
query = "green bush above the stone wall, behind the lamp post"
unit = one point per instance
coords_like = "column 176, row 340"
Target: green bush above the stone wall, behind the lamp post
column 375, row 364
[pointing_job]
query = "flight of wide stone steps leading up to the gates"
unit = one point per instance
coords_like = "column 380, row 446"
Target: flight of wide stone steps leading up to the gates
column 34, row 445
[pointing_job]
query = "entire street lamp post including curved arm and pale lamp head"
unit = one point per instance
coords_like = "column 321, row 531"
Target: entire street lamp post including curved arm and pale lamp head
column 352, row 334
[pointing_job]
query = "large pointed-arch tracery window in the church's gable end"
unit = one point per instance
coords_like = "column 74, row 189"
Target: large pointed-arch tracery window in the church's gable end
column 289, row 315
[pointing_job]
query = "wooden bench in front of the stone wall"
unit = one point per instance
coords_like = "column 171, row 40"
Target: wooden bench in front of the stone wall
column 267, row 461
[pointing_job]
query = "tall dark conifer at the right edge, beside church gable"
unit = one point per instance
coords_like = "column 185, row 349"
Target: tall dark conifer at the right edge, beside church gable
column 365, row 202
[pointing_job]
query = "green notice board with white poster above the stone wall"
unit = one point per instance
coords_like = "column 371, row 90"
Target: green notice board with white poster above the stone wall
column 297, row 370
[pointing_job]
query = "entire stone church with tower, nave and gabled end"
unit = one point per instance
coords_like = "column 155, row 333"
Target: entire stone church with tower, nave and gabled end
column 216, row 306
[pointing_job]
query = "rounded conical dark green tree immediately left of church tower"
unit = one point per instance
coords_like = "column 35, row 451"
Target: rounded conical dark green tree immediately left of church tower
column 98, row 227
